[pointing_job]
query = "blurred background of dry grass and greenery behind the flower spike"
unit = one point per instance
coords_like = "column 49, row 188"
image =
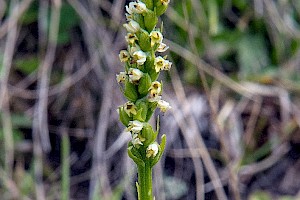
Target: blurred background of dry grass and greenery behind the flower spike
column 233, row 131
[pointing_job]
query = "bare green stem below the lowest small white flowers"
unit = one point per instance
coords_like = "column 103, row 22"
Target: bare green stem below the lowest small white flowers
column 145, row 181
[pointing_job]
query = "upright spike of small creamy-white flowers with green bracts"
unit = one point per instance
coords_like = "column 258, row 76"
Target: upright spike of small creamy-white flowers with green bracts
column 139, row 79
